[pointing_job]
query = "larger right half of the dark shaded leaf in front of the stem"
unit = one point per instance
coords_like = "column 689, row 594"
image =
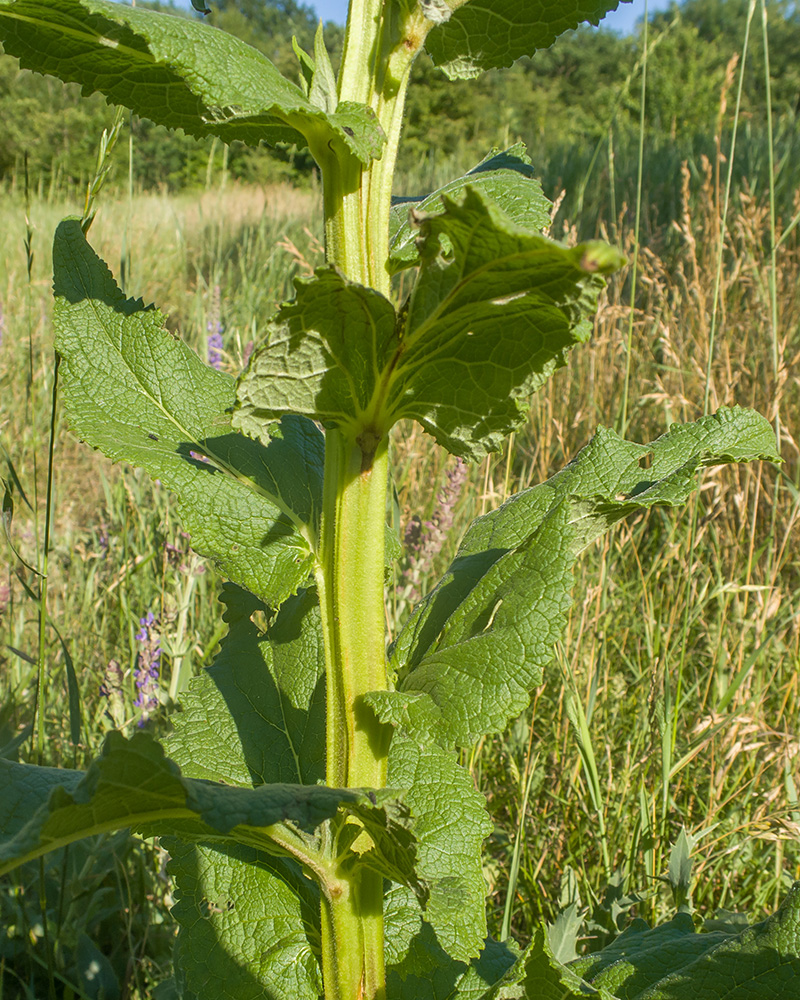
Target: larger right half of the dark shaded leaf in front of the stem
column 489, row 323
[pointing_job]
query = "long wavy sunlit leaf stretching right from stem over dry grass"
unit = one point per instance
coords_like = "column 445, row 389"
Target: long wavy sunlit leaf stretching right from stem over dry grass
column 479, row 642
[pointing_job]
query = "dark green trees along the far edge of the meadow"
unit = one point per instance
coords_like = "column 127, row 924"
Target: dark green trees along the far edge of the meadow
column 568, row 97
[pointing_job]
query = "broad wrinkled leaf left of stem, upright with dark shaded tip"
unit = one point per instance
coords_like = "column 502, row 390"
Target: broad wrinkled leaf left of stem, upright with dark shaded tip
column 140, row 395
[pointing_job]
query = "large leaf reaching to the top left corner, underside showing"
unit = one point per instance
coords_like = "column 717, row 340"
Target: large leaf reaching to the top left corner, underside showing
column 179, row 73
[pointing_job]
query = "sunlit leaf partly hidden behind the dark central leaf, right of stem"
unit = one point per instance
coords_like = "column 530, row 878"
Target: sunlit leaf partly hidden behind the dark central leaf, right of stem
column 506, row 178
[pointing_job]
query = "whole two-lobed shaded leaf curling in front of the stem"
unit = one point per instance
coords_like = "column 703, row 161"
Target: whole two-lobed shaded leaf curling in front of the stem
column 485, row 326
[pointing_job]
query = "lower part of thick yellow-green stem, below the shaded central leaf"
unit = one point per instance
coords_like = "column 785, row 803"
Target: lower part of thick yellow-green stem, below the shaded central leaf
column 350, row 585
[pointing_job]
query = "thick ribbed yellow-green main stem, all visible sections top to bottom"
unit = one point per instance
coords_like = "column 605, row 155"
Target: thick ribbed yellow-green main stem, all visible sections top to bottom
column 378, row 53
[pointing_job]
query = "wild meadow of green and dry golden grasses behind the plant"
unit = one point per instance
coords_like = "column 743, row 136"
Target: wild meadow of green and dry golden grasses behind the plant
column 678, row 687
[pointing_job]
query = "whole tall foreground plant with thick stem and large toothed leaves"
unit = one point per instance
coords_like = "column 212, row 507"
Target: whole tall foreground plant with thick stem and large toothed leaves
column 324, row 834
